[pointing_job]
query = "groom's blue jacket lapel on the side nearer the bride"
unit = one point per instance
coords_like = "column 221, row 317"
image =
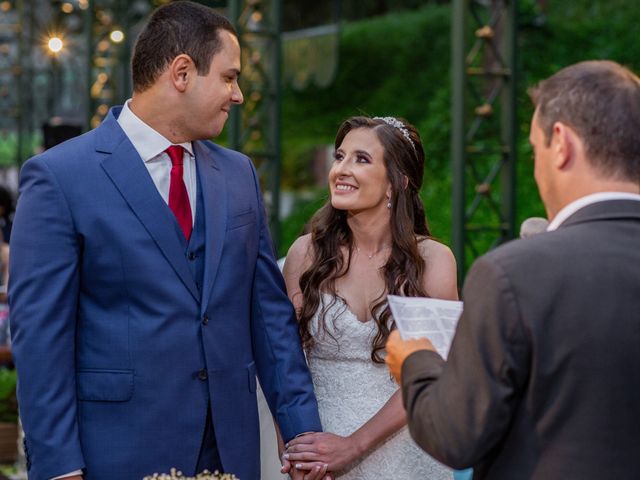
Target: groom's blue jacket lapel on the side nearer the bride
column 214, row 195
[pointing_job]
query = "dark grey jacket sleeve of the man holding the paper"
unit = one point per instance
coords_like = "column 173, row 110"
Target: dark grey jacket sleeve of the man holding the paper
column 460, row 409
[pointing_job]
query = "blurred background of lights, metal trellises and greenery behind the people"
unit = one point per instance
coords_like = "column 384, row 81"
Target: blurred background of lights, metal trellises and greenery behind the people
column 457, row 69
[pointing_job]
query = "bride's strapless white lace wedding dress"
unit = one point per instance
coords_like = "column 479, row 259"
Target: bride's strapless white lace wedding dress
column 350, row 389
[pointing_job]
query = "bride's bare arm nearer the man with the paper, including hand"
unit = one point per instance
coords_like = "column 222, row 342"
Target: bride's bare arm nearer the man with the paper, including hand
column 439, row 282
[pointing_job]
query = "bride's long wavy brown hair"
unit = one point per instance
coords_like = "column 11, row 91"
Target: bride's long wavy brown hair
column 404, row 270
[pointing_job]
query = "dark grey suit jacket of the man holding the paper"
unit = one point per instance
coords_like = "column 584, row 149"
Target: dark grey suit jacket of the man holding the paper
column 543, row 377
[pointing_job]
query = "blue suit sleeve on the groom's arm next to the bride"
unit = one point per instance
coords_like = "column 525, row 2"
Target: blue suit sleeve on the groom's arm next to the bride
column 280, row 362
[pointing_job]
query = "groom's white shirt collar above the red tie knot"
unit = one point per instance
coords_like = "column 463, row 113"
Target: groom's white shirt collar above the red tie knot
column 147, row 142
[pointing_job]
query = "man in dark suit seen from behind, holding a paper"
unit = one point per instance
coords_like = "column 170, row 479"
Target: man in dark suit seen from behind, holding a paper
column 543, row 377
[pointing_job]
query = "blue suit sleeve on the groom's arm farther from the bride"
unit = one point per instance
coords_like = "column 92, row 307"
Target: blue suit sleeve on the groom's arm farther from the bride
column 43, row 296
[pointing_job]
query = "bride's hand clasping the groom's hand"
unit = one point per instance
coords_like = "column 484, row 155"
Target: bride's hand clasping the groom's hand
column 329, row 448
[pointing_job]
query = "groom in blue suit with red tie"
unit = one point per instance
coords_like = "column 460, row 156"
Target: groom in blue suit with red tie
column 144, row 292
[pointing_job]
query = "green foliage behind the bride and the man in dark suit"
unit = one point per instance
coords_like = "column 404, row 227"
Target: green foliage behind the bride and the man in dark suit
column 399, row 64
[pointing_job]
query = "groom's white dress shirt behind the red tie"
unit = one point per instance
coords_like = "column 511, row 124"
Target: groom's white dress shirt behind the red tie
column 151, row 147
